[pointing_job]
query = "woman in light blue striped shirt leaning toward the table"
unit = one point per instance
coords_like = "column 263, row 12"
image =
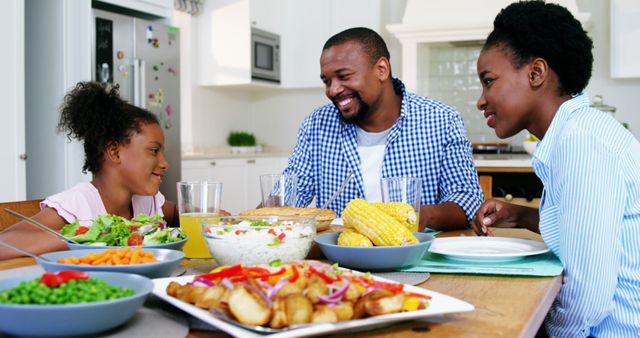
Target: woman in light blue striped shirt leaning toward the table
column 533, row 68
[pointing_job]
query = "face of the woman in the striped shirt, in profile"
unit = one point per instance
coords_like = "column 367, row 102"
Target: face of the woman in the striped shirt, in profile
column 507, row 96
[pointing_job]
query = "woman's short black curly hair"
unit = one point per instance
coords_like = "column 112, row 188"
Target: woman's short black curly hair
column 530, row 29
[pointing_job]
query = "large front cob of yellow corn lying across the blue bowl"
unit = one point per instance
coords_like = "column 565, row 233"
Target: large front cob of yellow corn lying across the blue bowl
column 382, row 229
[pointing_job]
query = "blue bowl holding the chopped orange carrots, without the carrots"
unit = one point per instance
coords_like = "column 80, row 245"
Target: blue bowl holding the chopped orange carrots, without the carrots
column 168, row 261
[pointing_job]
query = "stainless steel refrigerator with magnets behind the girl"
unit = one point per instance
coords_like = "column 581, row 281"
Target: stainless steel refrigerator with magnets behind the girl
column 143, row 57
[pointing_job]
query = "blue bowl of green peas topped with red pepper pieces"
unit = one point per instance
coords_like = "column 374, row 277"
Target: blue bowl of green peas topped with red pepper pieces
column 70, row 303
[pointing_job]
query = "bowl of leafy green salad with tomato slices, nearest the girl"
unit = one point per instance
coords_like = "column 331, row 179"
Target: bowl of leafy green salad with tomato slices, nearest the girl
column 115, row 231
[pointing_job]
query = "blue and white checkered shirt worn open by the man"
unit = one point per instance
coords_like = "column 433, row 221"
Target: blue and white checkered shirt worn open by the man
column 427, row 141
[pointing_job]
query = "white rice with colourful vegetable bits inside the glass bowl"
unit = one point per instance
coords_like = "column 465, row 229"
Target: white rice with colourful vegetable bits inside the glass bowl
column 248, row 245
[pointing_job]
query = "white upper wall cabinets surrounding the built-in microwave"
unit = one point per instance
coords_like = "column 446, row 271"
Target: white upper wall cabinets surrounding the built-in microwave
column 224, row 33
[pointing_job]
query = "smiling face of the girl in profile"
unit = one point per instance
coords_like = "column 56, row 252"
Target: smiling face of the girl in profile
column 142, row 160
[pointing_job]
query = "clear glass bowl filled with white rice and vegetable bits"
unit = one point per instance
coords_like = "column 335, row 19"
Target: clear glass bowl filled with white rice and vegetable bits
column 254, row 240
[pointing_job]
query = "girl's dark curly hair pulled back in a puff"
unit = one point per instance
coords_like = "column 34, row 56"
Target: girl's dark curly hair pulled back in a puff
column 95, row 114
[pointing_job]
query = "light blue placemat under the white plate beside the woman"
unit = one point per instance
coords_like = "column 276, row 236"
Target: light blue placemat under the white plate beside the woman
column 539, row 265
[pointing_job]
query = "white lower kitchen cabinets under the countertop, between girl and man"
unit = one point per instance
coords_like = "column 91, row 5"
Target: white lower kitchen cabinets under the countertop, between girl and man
column 239, row 177
